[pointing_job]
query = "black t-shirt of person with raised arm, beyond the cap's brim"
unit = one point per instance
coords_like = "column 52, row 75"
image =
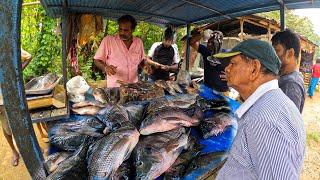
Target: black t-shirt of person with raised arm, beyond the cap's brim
column 212, row 73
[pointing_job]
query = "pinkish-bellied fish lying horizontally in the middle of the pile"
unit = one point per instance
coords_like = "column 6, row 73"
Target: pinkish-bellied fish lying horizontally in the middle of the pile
column 169, row 118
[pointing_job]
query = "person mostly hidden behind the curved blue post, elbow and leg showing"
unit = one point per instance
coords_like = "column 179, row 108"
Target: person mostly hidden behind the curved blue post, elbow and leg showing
column 25, row 58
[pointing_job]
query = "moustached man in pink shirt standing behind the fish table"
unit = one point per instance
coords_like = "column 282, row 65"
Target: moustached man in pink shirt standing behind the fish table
column 120, row 55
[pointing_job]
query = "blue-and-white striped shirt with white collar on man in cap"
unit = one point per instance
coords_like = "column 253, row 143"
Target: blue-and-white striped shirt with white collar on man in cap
column 270, row 142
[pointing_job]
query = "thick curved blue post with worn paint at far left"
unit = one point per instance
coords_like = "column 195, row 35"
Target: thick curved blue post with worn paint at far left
column 13, row 88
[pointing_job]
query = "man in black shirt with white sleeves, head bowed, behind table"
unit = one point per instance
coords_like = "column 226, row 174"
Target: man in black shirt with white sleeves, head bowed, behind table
column 163, row 57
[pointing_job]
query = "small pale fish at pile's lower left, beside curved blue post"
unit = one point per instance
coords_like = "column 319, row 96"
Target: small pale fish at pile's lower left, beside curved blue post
column 52, row 161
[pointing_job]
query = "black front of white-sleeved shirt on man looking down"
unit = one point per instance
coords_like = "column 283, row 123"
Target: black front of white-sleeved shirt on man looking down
column 163, row 55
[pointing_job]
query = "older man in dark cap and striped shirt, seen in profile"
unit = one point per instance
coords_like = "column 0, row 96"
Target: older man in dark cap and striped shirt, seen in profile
column 270, row 142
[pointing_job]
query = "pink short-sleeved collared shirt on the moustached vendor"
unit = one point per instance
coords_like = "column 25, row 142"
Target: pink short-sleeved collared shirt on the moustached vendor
column 113, row 51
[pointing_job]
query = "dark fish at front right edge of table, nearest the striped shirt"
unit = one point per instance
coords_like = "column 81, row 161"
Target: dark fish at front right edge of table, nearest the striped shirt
column 204, row 164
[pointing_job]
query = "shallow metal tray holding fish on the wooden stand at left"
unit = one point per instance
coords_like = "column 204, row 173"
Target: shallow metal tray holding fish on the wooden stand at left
column 47, row 90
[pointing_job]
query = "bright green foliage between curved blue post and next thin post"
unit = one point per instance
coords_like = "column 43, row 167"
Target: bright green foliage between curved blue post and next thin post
column 39, row 38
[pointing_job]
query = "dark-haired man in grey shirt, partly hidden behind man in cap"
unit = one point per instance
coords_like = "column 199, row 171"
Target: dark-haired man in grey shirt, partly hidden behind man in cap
column 287, row 46
